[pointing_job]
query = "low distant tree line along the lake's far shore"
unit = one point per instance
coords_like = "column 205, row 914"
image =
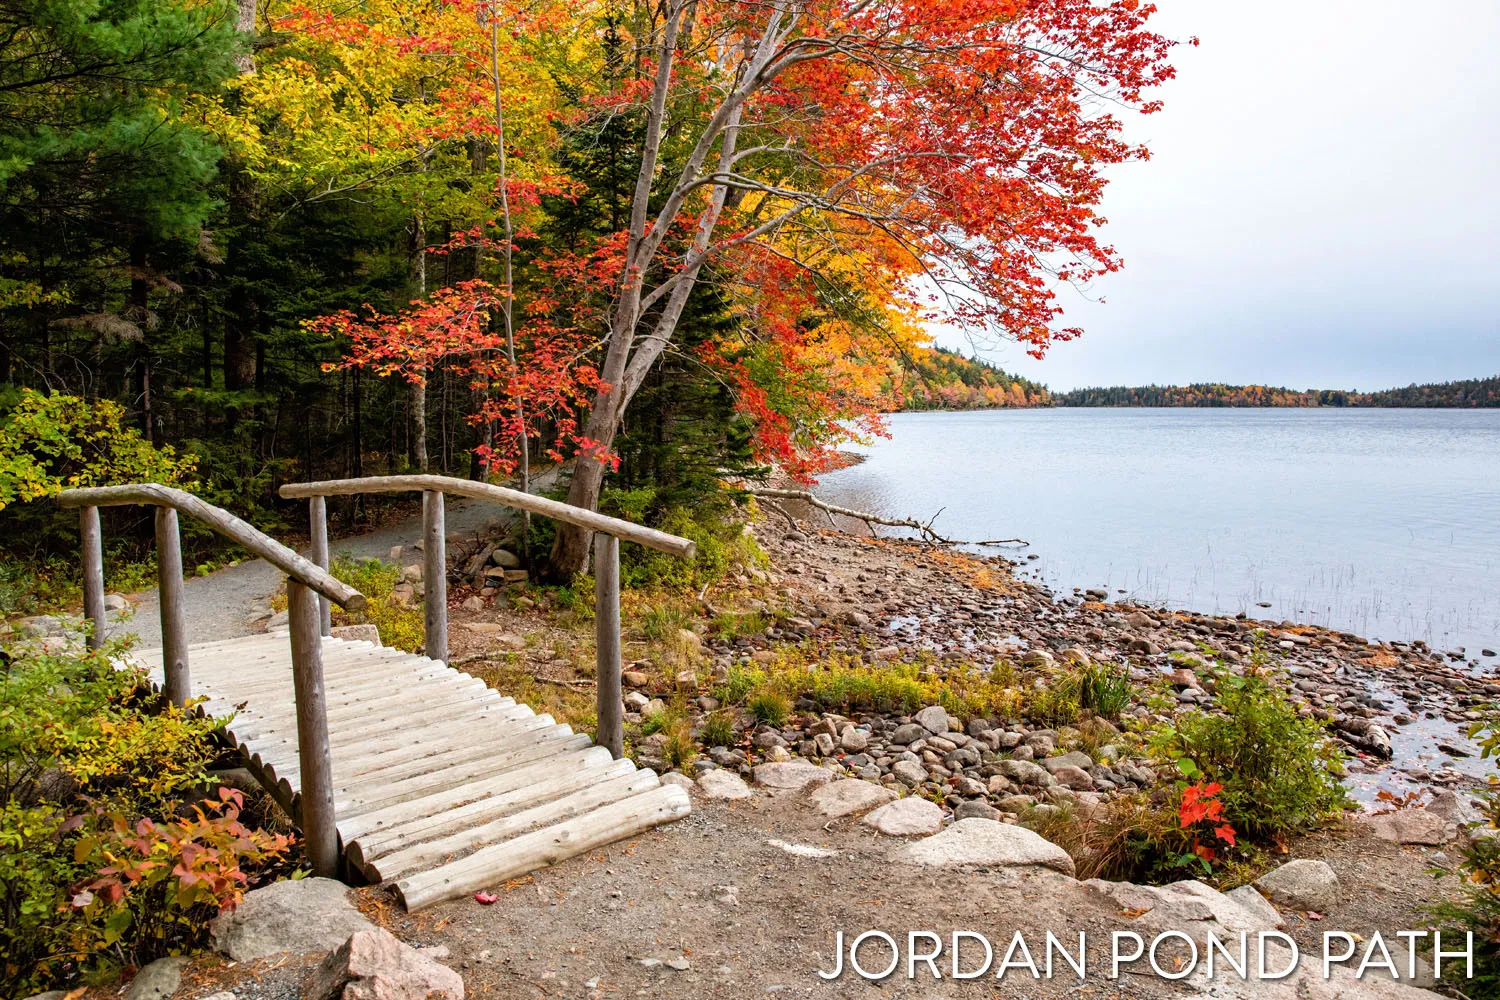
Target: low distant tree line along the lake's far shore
column 1469, row 394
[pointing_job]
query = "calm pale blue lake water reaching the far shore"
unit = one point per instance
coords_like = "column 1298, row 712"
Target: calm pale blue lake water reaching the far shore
column 1382, row 522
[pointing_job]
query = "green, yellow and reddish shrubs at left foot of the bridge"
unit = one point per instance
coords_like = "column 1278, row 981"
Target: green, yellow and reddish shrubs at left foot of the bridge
column 100, row 863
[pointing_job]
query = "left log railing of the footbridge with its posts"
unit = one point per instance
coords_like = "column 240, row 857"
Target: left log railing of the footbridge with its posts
column 308, row 585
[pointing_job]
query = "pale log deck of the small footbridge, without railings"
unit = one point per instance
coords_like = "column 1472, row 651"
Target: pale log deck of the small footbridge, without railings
column 442, row 785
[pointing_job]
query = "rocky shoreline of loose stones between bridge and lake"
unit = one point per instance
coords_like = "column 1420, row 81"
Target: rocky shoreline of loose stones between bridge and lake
column 1400, row 710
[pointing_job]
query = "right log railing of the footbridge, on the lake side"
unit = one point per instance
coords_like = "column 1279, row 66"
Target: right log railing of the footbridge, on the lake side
column 608, row 533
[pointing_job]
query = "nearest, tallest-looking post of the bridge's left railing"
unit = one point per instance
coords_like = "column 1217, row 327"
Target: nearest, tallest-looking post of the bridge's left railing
column 313, row 732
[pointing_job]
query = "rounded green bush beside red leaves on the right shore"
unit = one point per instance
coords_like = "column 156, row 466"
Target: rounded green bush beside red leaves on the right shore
column 1280, row 771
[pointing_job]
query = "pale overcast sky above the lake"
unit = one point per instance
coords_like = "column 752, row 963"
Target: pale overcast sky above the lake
column 1322, row 208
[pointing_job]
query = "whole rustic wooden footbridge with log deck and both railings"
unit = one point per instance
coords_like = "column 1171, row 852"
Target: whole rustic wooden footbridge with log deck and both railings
column 397, row 767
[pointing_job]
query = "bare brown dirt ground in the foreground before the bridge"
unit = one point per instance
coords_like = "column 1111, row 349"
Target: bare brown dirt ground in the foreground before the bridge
column 721, row 896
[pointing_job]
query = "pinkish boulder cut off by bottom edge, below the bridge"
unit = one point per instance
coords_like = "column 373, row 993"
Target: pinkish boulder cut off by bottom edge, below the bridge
column 374, row 966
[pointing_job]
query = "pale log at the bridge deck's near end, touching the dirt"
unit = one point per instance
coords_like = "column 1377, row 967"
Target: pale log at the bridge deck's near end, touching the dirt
column 496, row 864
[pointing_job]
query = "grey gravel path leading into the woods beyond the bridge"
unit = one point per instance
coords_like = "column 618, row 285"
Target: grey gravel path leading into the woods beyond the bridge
column 227, row 603
